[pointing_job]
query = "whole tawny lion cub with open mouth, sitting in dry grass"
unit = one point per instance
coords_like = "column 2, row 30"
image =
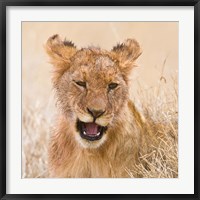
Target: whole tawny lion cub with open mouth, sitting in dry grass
column 98, row 132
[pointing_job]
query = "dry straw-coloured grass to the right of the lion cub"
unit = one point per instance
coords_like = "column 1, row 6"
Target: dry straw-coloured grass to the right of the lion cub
column 161, row 112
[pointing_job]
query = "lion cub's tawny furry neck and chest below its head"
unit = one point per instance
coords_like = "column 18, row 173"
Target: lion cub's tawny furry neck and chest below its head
column 68, row 159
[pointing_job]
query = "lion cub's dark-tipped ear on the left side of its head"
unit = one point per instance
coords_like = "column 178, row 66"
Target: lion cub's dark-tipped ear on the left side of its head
column 60, row 53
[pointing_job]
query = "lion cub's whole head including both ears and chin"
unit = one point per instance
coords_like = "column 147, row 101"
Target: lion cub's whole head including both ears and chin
column 91, row 85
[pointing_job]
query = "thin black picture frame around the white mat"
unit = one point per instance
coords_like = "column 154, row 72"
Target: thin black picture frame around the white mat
column 5, row 3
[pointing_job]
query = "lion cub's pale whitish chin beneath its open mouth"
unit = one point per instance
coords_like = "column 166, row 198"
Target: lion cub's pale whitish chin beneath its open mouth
column 86, row 144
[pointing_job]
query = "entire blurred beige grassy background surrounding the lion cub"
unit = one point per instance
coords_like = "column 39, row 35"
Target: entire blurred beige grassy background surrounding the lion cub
column 154, row 85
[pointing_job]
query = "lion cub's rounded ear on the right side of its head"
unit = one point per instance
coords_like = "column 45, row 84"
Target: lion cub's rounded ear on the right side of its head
column 126, row 53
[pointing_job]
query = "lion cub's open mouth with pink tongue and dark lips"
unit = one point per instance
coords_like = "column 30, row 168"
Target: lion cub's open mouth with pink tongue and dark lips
column 90, row 131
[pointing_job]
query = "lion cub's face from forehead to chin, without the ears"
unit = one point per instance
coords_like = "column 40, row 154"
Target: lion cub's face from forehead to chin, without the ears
column 95, row 93
